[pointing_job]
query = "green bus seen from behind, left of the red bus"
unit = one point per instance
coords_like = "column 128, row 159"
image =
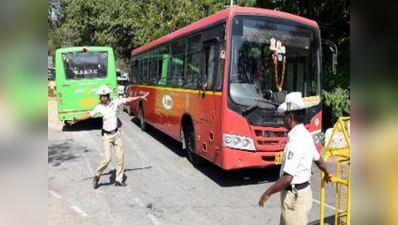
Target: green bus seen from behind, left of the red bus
column 80, row 72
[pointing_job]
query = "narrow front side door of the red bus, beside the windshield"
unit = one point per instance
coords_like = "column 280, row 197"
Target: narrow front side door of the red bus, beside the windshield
column 209, row 129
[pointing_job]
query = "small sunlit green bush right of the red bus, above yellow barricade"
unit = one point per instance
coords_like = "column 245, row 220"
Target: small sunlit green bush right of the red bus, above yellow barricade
column 338, row 101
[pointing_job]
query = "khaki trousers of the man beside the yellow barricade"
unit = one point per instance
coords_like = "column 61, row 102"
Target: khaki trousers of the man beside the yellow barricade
column 296, row 211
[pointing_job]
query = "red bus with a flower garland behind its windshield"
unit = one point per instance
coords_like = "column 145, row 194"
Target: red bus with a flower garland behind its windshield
column 216, row 84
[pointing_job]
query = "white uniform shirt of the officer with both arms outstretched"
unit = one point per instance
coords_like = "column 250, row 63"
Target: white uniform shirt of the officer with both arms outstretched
column 108, row 112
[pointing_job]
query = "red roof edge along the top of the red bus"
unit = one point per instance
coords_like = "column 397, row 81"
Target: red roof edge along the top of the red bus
column 221, row 16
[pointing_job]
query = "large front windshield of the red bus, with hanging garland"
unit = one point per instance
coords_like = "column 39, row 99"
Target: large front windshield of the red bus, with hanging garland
column 271, row 57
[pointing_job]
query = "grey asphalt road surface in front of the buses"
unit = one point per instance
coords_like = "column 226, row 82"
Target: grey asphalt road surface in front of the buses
column 163, row 187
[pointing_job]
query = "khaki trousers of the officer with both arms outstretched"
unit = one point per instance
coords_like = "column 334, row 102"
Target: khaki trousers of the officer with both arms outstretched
column 114, row 140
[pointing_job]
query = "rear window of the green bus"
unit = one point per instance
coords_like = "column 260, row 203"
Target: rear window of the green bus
column 85, row 65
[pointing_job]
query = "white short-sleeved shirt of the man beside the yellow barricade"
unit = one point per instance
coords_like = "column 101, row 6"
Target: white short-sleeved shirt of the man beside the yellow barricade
column 299, row 153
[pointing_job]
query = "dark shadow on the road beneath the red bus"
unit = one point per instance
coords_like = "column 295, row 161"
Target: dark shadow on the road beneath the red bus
column 215, row 173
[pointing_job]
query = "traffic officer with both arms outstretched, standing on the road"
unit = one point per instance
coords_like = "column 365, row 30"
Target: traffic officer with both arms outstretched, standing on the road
column 110, row 132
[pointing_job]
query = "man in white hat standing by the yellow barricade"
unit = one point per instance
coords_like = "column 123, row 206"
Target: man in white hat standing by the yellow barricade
column 295, row 173
